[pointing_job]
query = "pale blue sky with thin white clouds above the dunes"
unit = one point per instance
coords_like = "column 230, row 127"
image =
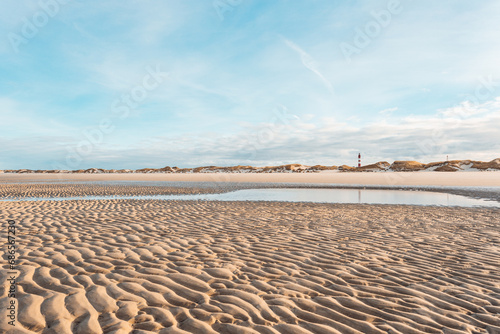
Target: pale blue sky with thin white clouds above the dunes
column 134, row 84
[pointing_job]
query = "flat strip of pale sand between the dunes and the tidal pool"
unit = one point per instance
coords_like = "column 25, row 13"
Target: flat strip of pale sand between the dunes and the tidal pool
column 478, row 185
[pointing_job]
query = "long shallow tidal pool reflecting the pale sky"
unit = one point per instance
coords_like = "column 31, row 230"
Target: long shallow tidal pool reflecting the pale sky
column 362, row 196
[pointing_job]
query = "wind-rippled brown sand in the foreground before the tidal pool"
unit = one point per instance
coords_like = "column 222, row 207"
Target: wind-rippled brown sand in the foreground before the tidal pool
column 137, row 266
